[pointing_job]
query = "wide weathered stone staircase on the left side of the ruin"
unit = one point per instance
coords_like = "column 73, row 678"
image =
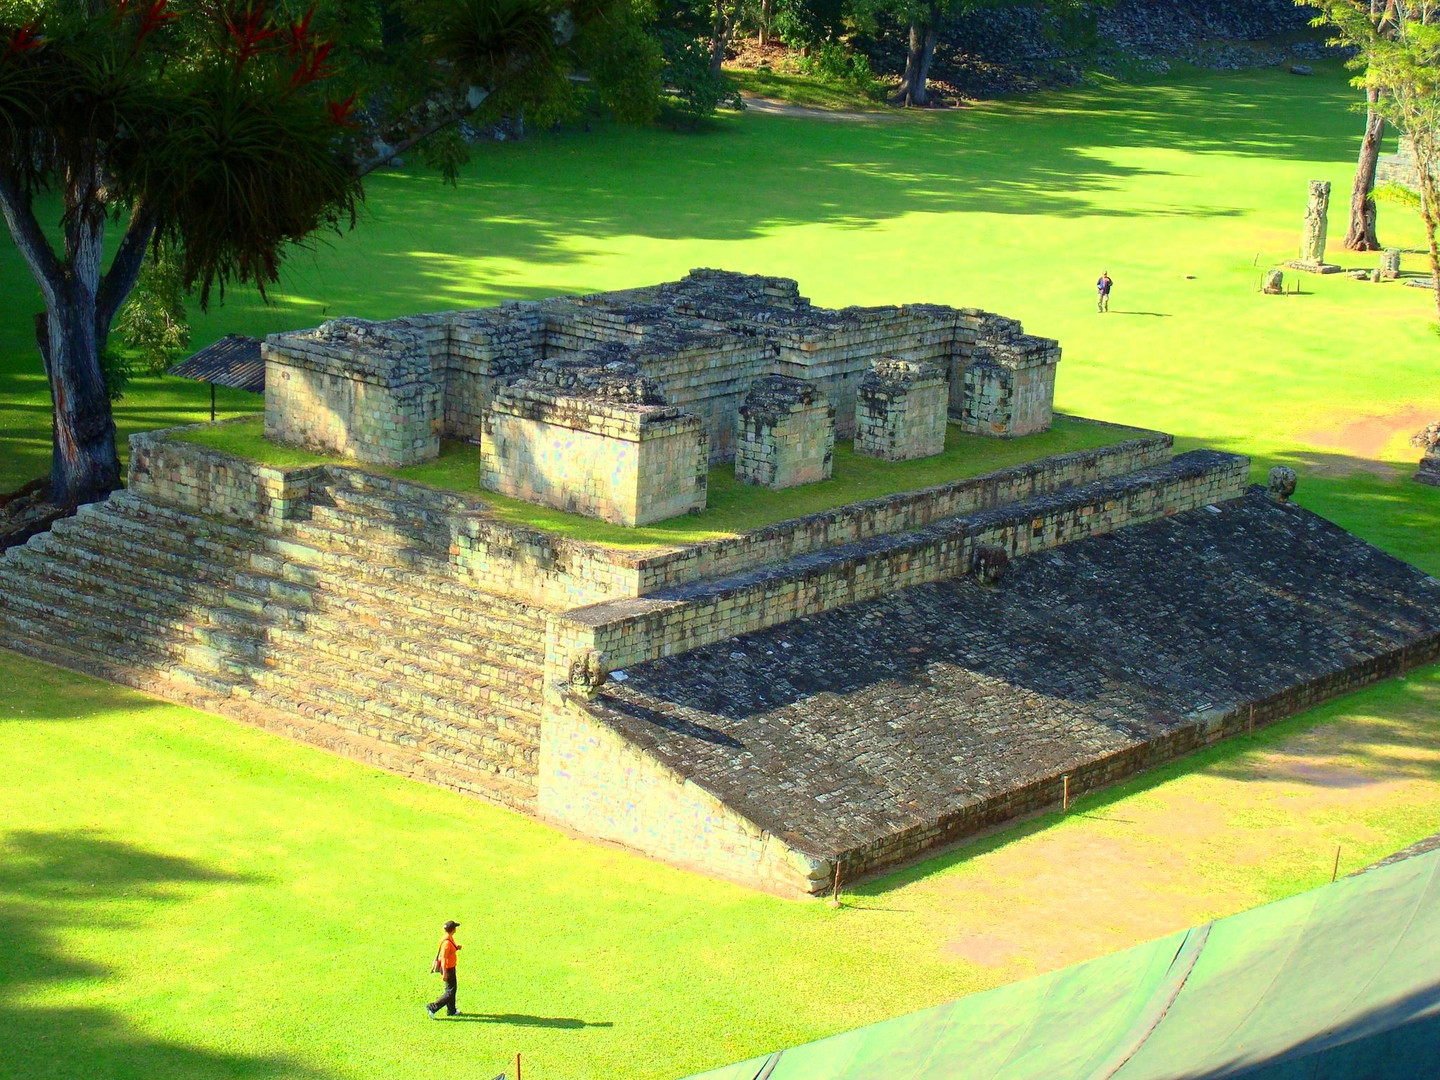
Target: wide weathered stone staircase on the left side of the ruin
column 345, row 630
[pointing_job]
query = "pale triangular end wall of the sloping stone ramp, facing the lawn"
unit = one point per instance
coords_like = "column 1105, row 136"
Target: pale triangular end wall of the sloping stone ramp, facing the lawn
column 597, row 783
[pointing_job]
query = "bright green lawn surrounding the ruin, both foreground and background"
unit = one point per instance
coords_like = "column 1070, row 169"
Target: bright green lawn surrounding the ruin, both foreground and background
column 185, row 898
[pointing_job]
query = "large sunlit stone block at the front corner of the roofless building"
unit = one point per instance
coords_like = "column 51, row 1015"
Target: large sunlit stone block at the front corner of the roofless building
column 595, row 440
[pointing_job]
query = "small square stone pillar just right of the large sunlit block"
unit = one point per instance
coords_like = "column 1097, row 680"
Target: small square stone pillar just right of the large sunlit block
column 786, row 434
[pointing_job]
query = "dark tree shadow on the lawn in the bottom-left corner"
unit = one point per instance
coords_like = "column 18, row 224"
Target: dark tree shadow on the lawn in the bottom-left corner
column 55, row 886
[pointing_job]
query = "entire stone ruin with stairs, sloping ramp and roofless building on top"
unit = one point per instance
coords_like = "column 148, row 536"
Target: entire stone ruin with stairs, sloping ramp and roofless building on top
column 796, row 706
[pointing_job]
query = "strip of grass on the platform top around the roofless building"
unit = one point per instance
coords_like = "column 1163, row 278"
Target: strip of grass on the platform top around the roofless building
column 734, row 508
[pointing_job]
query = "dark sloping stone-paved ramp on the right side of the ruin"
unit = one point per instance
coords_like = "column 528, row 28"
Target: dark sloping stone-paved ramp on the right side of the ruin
column 875, row 731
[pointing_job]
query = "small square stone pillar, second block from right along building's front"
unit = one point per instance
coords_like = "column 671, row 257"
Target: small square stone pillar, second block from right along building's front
column 902, row 411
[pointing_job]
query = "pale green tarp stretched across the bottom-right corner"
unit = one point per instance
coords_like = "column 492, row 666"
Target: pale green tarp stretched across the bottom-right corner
column 1341, row 983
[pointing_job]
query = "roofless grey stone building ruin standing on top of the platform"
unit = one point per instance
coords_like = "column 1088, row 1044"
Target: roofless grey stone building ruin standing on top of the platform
column 616, row 405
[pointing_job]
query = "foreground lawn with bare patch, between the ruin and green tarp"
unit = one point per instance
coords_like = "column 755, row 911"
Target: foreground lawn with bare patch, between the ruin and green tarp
column 195, row 899
